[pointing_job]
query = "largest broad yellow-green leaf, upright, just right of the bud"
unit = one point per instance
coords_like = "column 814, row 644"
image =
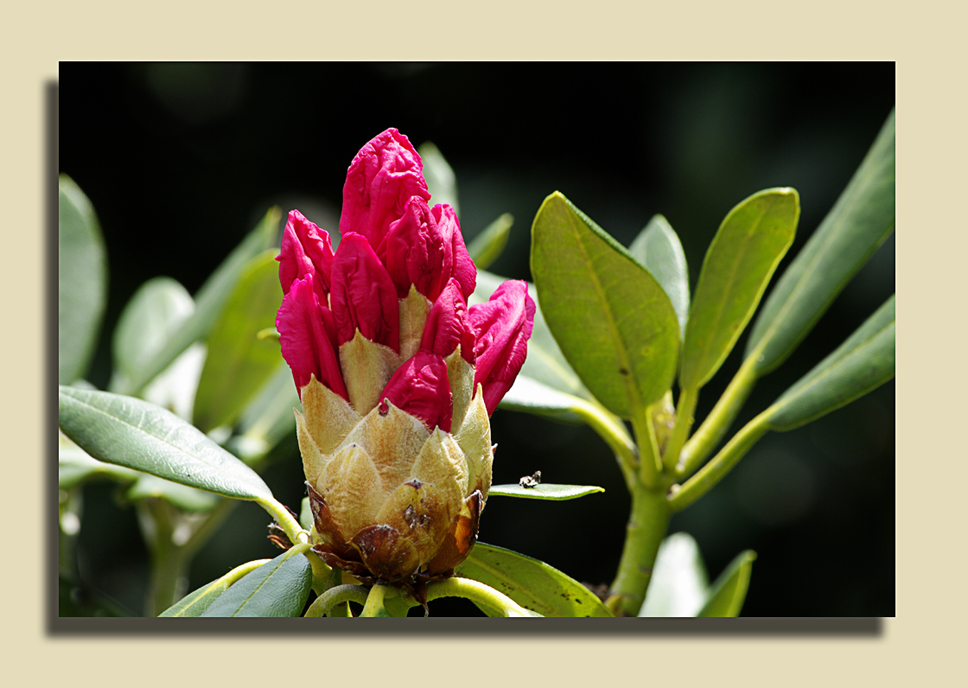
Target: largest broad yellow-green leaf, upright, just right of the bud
column 612, row 320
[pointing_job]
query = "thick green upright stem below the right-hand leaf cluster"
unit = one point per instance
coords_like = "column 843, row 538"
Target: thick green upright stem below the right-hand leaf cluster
column 646, row 527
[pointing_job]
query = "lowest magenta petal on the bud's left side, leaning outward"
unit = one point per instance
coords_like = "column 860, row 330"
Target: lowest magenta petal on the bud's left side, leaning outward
column 305, row 338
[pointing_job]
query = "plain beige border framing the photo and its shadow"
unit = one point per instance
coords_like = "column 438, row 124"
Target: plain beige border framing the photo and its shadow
column 922, row 645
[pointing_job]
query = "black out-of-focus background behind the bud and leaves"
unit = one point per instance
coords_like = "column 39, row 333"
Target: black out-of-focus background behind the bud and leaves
column 181, row 160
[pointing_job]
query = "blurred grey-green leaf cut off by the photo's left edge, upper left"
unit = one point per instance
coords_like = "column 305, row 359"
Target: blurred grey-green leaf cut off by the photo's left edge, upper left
column 81, row 281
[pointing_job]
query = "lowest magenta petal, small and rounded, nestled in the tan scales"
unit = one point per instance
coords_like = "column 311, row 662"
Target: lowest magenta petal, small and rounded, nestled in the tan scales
column 421, row 388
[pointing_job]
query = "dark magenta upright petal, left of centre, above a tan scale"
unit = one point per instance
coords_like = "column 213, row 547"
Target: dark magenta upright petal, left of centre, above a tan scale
column 363, row 296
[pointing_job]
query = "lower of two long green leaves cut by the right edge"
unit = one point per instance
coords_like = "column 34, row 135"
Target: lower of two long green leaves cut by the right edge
column 860, row 364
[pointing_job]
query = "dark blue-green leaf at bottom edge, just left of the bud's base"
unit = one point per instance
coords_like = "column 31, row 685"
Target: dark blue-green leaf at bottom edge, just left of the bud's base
column 278, row 588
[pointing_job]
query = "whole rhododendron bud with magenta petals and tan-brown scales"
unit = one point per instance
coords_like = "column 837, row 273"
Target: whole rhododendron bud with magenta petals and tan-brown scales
column 397, row 376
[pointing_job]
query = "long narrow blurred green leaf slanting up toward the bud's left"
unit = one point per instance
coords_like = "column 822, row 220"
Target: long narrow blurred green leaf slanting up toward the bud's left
column 209, row 300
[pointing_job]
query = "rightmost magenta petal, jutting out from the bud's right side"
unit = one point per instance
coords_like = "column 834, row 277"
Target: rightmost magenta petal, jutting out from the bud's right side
column 503, row 326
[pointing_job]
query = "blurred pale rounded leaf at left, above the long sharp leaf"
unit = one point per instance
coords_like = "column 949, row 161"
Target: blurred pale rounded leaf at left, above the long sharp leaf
column 155, row 311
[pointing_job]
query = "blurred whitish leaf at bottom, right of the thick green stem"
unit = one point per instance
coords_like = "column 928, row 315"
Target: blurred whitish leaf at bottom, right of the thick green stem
column 679, row 585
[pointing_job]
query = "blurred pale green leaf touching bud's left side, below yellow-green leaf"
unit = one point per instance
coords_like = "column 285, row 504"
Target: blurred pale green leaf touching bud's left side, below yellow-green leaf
column 268, row 418
